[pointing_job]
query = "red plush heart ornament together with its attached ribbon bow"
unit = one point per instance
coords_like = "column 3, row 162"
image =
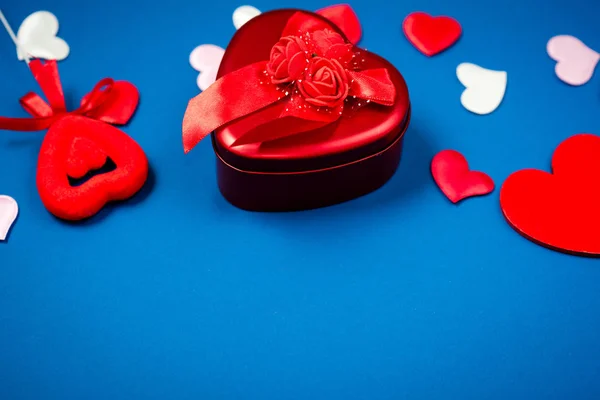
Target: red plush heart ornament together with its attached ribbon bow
column 80, row 142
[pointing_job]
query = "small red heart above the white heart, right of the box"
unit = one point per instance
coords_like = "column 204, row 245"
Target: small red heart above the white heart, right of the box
column 431, row 35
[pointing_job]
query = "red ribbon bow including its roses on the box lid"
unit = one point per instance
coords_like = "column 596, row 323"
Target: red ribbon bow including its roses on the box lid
column 312, row 71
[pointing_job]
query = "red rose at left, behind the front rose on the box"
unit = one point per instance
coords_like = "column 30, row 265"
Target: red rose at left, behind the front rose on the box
column 288, row 60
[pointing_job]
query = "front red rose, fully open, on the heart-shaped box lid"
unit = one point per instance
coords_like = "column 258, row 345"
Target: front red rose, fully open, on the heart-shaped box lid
column 325, row 83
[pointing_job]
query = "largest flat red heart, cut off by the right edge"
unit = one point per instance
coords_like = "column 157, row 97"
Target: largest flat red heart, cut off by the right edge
column 559, row 210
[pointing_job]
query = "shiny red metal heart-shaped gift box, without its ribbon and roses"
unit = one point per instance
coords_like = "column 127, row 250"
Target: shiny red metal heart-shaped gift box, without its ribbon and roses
column 344, row 160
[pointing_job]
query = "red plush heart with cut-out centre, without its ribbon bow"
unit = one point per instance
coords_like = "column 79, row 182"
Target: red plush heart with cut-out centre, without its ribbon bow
column 75, row 145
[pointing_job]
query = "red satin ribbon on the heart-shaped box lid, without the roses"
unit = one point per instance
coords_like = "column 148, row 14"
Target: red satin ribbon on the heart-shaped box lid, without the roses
column 247, row 98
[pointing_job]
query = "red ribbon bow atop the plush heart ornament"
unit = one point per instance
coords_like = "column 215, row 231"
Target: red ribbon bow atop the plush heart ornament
column 110, row 101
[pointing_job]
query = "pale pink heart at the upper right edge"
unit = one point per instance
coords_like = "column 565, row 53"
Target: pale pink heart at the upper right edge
column 575, row 62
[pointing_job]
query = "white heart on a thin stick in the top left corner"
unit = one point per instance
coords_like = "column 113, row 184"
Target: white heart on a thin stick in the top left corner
column 37, row 36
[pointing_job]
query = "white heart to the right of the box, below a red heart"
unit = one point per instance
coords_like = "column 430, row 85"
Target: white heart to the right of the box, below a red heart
column 485, row 88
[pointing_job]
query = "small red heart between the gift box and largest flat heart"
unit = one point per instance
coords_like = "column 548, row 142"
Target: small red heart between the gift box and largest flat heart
column 451, row 173
